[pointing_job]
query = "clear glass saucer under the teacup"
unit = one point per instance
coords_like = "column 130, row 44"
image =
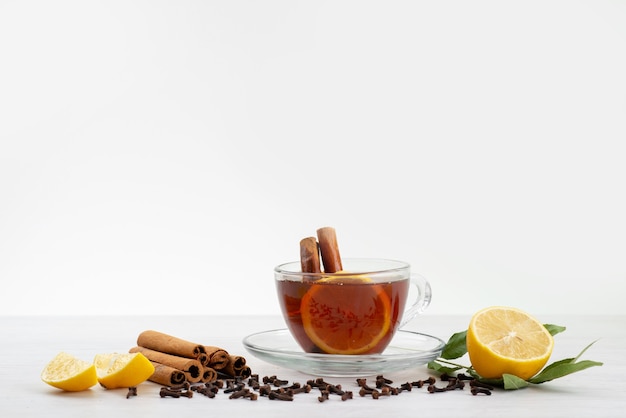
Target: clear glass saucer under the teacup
column 407, row 349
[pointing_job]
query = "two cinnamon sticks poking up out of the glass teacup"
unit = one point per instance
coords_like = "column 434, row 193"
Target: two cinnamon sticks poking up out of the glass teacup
column 327, row 249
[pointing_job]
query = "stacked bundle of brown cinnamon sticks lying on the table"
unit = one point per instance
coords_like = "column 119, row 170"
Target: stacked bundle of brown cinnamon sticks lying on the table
column 177, row 361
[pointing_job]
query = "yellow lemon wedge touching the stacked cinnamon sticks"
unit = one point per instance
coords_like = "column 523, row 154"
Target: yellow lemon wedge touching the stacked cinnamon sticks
column 124, row 370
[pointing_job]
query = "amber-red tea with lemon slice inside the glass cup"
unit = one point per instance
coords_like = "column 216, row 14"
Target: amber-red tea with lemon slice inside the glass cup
column 350, row 315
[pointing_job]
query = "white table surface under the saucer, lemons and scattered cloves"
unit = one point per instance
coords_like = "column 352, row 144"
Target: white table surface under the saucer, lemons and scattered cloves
column 28, row 343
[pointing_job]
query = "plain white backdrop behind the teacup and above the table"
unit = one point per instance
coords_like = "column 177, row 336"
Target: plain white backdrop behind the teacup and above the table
column 161, row 157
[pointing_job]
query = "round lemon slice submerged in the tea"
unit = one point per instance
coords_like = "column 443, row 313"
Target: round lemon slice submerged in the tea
column 346, row 316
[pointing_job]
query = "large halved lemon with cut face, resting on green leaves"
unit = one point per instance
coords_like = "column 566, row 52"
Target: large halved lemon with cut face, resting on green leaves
column 507, row 340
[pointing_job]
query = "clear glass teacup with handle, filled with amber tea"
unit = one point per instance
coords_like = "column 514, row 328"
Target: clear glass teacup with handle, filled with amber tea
column 353, row 311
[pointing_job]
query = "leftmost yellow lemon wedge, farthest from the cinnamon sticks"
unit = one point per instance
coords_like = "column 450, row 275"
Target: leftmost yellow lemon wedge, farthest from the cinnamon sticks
column 69, row 373
